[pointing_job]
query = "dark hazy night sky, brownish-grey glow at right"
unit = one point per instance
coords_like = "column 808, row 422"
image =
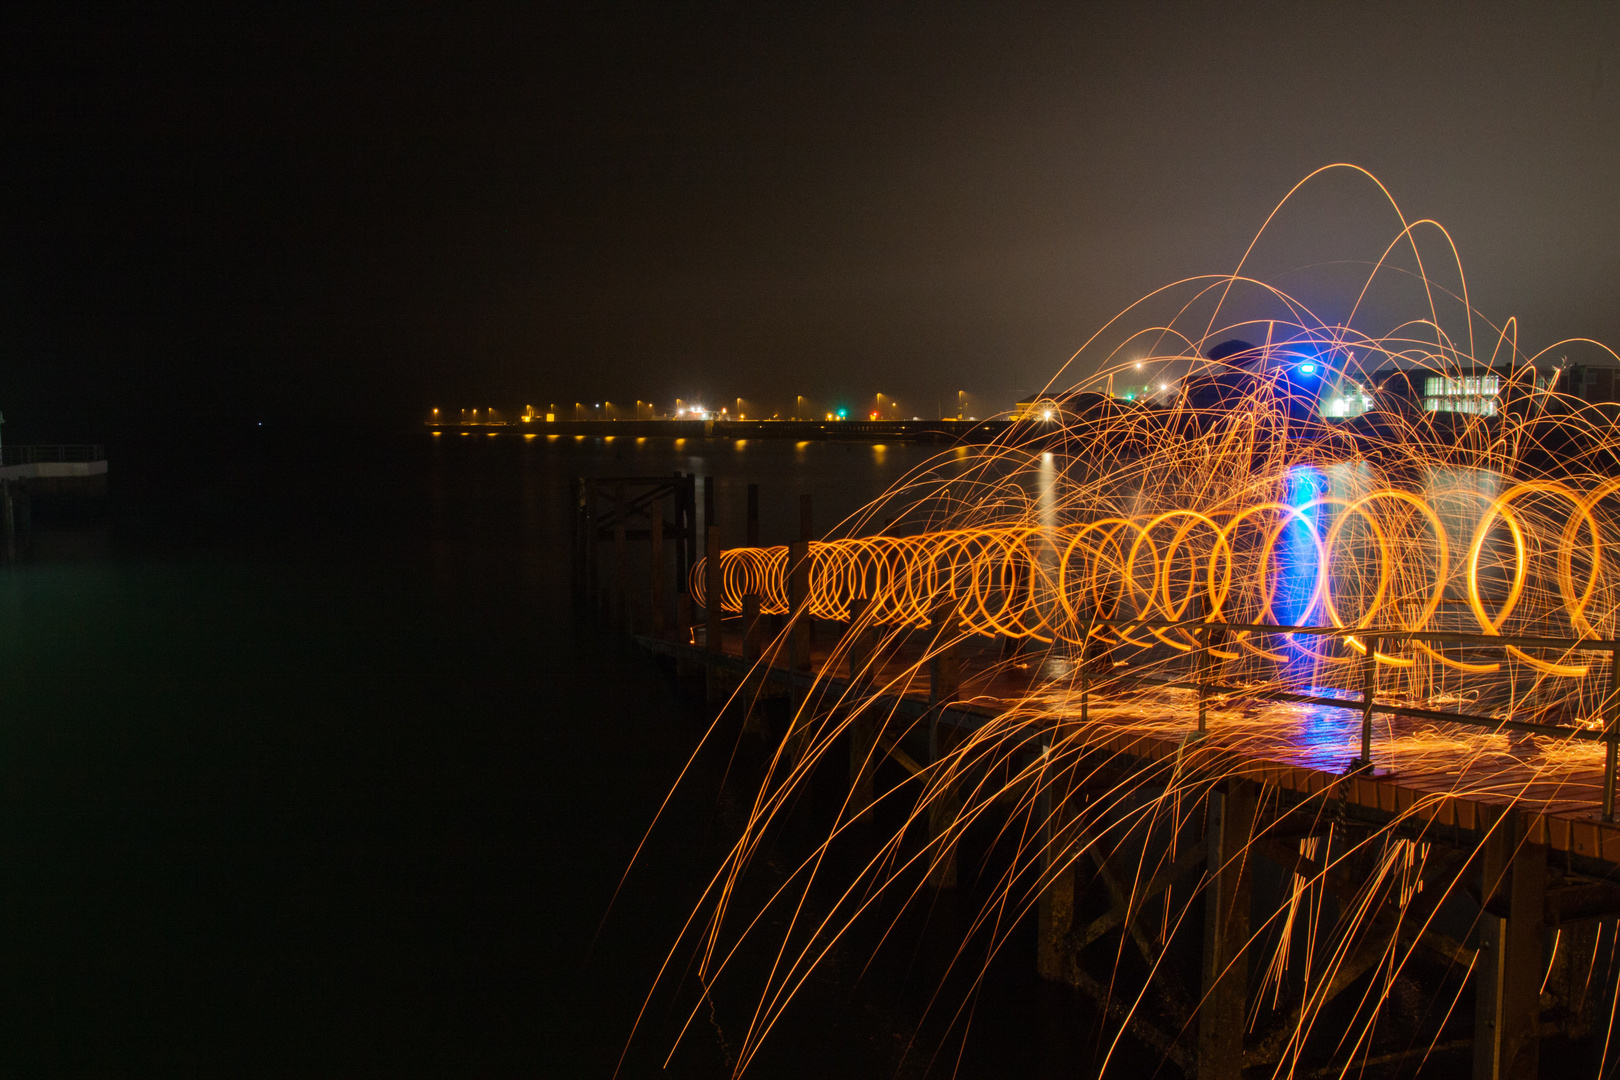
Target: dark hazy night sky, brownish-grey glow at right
column 279, row 213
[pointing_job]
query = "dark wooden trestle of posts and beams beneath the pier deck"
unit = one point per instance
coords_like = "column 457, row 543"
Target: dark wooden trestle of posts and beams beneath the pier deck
column 1517, row 896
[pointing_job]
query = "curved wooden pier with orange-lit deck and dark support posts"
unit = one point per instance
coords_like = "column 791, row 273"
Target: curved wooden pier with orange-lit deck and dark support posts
column 1507, row 904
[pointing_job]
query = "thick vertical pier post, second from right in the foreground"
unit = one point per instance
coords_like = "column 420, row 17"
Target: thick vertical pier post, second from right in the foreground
column 1227, row 898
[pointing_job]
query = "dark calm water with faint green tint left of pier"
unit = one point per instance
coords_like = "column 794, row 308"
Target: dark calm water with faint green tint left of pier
column 310, row 768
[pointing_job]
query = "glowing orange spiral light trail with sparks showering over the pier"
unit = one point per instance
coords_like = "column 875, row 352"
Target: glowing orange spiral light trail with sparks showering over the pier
column 1227, row 529
